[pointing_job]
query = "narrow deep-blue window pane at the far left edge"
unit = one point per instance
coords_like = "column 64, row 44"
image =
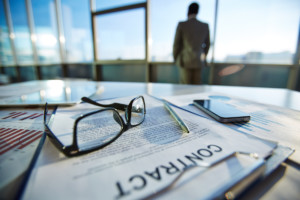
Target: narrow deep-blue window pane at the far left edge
column 6, row 54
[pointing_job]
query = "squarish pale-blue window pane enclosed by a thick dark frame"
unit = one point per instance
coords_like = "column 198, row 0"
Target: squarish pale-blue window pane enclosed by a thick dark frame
column 121, row 35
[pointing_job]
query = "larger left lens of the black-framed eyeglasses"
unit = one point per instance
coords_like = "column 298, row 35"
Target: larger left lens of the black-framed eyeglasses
column 98, row 129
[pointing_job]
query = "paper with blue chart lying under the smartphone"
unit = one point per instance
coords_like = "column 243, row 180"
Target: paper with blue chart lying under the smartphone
column 268, row 122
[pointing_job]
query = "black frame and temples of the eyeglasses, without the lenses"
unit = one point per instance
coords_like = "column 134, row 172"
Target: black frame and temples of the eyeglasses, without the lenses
column 73, row 149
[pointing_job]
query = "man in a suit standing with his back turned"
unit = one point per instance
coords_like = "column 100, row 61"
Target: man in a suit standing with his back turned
column 191, row 45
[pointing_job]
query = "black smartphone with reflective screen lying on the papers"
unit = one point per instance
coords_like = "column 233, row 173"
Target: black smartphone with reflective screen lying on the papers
column 220, row 111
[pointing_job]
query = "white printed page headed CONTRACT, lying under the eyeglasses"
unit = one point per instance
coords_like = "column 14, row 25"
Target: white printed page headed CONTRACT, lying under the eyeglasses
column 146, row 159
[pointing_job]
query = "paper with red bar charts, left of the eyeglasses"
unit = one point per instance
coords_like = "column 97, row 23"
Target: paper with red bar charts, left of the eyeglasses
column 20, row 132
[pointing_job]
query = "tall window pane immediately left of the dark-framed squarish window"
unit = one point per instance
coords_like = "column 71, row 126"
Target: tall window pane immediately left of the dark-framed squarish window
column 77, row 30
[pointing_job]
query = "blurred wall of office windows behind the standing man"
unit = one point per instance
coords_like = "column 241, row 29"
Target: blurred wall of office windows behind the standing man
column 253, row 43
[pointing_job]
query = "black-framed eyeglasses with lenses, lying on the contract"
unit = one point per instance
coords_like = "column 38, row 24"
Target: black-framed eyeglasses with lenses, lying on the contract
column 97, row 129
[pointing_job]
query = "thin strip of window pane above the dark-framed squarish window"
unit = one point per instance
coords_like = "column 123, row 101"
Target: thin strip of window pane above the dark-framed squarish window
column 107, row 4
